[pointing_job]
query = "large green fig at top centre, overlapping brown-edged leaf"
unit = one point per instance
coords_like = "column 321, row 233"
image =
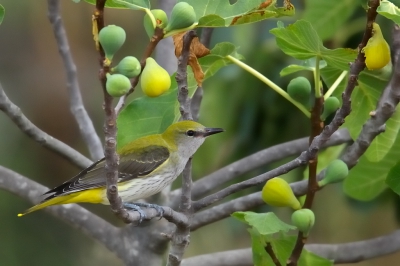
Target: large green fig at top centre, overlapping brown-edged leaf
column 182, row 16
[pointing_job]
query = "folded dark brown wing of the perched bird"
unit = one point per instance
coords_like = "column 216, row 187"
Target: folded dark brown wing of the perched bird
column 131, row 166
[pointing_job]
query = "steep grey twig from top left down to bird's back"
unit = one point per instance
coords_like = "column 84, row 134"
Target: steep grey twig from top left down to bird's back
column 77, row 108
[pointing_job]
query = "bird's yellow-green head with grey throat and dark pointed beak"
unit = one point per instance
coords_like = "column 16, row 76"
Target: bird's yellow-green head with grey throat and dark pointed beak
column 187, row 136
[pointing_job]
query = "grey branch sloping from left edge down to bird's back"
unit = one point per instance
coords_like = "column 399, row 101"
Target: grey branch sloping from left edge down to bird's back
column 26, row 126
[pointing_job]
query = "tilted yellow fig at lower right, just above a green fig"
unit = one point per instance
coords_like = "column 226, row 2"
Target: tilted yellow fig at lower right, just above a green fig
column 278, row 193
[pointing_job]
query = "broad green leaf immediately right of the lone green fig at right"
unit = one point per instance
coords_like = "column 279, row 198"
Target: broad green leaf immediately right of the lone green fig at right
column 367, row 179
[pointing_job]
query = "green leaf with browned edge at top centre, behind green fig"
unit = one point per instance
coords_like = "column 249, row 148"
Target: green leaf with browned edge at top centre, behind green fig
column 223, row 14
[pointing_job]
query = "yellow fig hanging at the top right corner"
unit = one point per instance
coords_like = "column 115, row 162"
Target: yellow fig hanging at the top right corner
column 377, row 51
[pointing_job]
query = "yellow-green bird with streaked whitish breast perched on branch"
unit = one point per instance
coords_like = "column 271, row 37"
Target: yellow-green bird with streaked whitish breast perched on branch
column 146, row 166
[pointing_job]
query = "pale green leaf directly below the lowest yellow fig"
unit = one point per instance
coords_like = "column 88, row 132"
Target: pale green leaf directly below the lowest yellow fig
column 265, row 223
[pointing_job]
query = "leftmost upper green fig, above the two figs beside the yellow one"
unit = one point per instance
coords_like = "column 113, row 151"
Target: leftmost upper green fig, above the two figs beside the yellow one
column 111, row 39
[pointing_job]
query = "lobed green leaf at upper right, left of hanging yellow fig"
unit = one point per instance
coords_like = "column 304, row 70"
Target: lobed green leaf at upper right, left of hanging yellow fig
column 301, row 41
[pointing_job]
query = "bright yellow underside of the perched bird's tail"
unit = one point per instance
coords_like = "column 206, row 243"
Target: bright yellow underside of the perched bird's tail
column 90, row 196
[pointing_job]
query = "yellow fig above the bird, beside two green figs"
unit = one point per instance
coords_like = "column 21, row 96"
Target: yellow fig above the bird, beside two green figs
column 154, row 80
